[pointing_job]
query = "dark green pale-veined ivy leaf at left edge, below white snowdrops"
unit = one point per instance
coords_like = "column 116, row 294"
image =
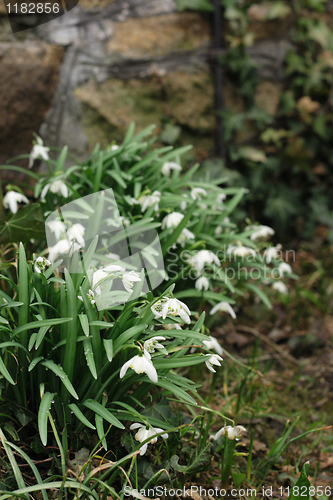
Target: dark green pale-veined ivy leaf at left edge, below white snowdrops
column 27, row 223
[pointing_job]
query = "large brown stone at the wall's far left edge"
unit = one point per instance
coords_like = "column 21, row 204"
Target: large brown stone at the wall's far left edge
column 29, row 75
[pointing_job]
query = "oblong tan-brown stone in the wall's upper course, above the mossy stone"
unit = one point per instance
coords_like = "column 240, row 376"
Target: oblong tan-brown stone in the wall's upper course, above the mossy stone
column 158, row 36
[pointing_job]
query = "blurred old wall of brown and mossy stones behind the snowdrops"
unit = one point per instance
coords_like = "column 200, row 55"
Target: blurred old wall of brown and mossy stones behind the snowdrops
column 83, row 77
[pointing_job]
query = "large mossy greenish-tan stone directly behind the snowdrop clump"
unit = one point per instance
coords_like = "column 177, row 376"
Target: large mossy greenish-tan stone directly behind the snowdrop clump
column 185, row 97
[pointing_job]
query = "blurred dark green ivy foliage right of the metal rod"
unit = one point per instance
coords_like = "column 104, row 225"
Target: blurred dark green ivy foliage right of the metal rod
column 287, row 161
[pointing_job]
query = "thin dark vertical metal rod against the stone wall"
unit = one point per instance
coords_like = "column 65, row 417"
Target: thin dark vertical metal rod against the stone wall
column 219, row 101
